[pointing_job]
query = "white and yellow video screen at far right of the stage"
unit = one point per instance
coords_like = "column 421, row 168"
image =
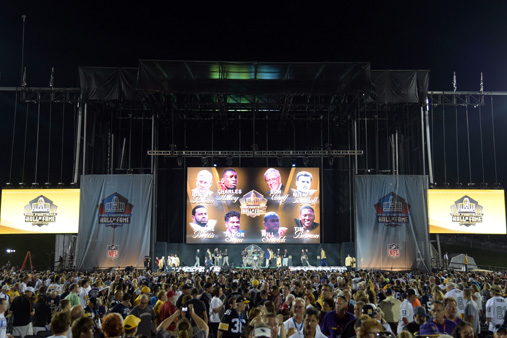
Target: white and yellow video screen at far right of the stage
column 461, row 211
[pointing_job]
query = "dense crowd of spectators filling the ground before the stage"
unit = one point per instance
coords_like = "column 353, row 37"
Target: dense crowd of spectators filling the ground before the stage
column 276, row 303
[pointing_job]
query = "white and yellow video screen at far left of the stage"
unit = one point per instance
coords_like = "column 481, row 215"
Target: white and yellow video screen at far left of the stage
column 39, row 211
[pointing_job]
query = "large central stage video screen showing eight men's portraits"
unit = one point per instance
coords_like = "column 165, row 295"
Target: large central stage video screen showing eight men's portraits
column 253, row 205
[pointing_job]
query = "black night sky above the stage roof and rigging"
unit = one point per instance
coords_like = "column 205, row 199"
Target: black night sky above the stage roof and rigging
column 443, row 36
